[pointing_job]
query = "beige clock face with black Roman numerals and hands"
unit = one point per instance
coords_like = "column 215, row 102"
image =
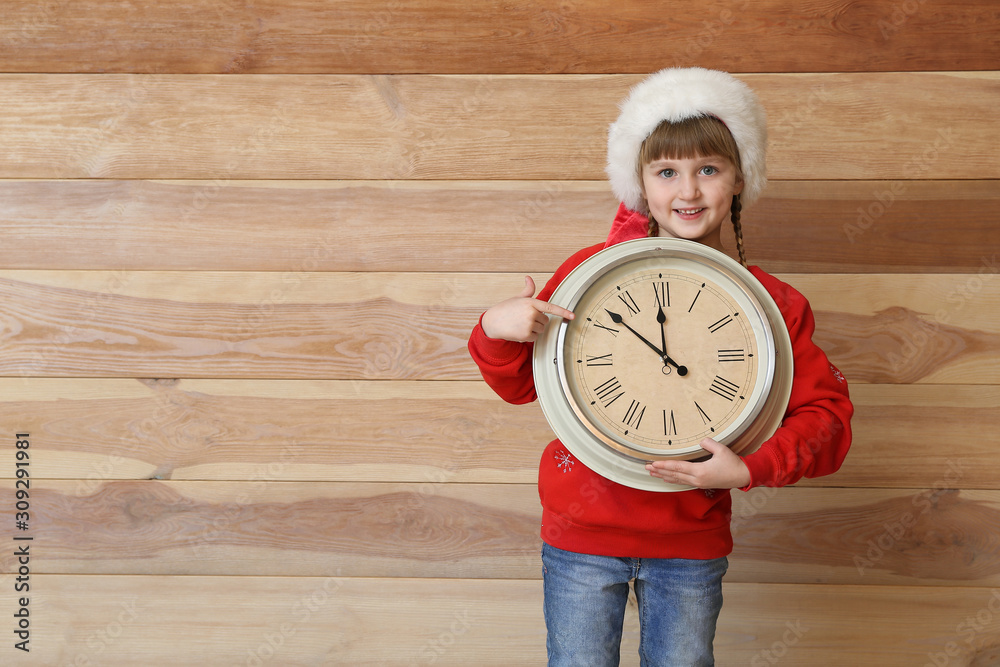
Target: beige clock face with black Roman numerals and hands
column 660, row 357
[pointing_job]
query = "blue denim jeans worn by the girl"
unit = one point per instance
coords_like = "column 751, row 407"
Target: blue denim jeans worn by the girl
column 679, row 601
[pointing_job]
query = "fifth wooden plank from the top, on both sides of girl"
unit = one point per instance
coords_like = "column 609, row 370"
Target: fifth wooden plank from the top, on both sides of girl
column 101, row 430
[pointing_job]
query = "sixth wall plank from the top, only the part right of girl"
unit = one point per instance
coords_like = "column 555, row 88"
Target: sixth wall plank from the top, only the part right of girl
column 941, row 535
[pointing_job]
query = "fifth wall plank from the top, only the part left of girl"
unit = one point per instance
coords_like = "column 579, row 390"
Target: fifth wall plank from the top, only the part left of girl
column 95, row 430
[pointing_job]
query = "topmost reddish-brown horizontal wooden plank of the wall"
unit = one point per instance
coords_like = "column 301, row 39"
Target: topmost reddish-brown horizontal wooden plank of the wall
column 278, row 36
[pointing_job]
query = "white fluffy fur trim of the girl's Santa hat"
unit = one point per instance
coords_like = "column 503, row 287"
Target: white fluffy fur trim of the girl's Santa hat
column 674, row 95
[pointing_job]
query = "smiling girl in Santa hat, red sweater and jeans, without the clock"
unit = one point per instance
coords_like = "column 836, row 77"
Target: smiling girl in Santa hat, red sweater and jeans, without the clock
column 686, row 154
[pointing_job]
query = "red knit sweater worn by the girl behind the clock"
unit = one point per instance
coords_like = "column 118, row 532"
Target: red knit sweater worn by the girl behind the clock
column 587, row 513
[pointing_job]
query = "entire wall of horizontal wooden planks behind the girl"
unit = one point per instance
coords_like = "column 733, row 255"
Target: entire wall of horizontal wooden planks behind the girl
column 244, row 244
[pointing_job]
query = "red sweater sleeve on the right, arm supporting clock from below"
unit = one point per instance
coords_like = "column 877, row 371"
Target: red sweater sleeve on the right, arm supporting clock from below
column 815, row 433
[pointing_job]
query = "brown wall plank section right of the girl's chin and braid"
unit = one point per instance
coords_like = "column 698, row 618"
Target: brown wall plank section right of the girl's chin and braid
column 873, row 227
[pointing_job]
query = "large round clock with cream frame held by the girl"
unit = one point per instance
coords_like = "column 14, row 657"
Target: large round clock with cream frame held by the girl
column 672, row 342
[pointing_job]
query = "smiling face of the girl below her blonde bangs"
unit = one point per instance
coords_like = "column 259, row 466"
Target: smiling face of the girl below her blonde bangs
column 691, row 197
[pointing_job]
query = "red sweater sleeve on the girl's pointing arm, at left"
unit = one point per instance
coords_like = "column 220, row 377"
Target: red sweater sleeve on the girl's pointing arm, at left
column 506, row 365
